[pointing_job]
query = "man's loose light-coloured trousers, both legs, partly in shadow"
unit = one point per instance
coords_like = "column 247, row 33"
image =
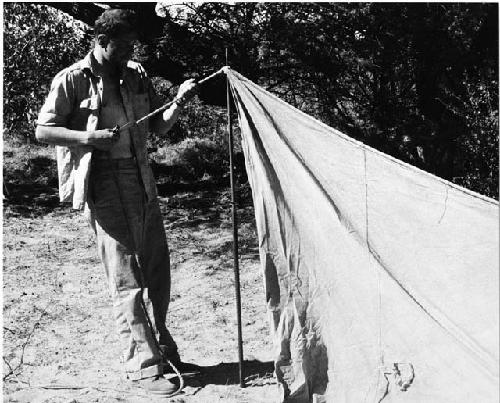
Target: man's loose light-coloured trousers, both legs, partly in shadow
column 132, row 245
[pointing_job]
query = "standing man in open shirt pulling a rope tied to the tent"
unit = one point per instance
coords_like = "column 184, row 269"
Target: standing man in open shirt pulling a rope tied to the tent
column 106, row 172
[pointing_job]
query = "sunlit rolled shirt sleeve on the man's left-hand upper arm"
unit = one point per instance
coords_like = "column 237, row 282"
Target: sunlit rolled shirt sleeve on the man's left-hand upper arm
column 59, row 103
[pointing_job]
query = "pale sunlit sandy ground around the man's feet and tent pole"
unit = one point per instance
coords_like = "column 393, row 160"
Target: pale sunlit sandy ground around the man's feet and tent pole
column 58, row 333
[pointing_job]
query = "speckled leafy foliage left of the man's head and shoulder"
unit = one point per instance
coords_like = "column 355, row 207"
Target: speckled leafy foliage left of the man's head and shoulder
column 38, row 42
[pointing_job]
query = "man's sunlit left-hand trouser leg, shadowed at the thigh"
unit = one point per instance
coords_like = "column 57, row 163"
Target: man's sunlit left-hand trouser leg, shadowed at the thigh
column 117, row 220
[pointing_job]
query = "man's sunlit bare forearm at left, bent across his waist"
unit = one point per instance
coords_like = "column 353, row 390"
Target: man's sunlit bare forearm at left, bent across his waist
column 62, row 136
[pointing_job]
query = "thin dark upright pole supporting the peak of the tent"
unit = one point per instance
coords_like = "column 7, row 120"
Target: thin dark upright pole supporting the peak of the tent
column 235, row 230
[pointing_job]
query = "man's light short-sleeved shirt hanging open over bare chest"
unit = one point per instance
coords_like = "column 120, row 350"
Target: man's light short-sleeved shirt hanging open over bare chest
column 74, row 102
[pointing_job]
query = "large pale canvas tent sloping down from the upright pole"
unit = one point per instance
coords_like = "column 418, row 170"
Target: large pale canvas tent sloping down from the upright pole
column 381, row 280
